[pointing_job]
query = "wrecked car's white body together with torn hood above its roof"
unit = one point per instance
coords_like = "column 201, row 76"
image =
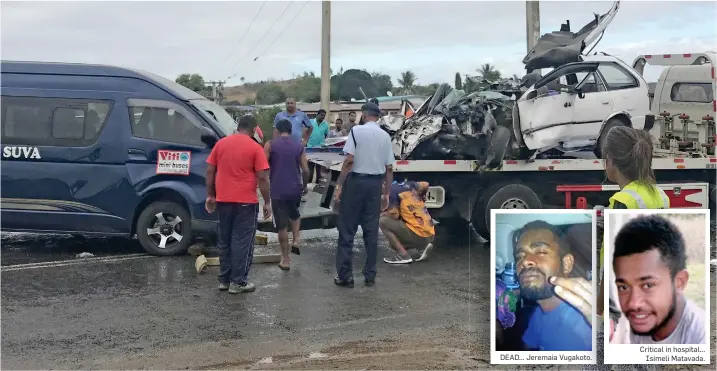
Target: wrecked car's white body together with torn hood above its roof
column 574, row 105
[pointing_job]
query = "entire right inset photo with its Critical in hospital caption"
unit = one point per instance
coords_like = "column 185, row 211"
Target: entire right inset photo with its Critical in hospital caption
column 657, row 275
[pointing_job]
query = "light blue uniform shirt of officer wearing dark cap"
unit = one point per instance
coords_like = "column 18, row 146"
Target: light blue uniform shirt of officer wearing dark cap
column 372, row 150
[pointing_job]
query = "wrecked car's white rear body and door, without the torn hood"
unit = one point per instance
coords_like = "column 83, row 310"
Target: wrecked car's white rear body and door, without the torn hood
column 579, row 102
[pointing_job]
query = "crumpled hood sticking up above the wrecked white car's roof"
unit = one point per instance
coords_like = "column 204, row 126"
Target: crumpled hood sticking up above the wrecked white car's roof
column 560, row 47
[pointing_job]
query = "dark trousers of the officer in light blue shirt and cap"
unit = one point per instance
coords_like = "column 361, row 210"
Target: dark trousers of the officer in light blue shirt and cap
column 360, row 205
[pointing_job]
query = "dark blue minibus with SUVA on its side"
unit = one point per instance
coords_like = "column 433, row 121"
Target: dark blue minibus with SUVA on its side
column 103, row 150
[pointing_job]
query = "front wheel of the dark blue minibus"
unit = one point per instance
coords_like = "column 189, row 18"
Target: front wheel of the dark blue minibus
column 164, row 228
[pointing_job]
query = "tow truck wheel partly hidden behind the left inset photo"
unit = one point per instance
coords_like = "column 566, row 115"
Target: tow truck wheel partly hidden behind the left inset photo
column 503, row 196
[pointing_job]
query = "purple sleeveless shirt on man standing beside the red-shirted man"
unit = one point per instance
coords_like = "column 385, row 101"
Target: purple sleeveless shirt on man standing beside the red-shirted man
column 285, row 169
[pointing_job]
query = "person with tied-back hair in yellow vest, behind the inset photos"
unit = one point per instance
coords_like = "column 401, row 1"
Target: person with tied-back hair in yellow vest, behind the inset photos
column 628, row 162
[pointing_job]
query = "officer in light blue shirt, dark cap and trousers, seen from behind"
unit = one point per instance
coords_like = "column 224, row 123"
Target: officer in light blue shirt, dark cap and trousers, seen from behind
column 367, row 166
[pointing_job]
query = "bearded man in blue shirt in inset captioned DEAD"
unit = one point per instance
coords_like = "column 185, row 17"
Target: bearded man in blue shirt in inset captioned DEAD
column 562, row 320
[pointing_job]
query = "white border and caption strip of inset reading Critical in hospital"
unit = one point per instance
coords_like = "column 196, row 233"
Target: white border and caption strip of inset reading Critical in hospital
column 616, row 354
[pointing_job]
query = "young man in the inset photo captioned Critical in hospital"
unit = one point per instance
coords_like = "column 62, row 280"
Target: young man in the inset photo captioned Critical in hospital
column 650, row 273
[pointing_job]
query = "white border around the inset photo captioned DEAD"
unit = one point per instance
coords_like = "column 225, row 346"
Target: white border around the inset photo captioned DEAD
column 531, row 357
